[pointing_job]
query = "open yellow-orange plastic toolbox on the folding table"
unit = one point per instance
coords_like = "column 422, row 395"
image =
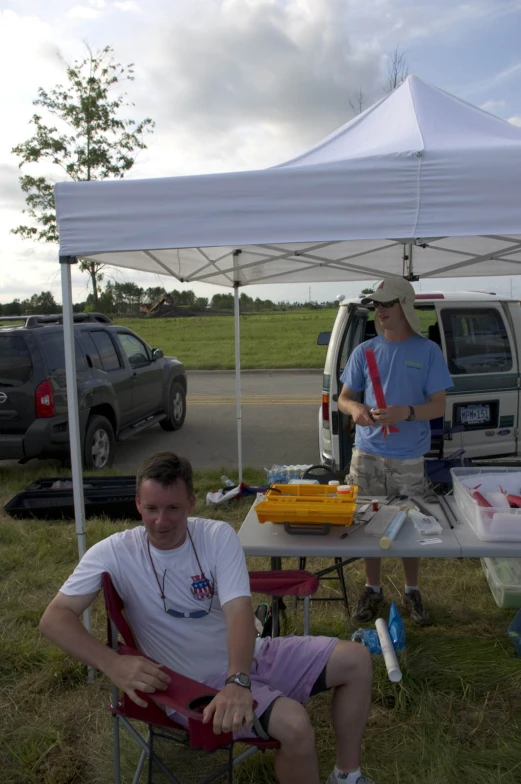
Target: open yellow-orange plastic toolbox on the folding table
column 307, row 504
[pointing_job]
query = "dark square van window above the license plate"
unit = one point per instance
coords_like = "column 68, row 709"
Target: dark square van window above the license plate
column 477, row 341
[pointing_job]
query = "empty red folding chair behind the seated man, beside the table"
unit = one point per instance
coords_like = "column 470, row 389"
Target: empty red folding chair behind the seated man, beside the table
column 288, row 582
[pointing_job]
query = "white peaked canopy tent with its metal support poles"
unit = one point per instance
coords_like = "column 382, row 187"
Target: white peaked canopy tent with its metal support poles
column 420, row 185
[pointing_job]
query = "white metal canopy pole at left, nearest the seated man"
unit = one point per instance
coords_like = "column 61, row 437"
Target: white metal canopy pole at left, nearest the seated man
column 73, row 412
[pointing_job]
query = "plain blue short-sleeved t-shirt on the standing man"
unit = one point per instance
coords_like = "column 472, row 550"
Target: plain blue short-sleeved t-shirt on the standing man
column 410, row 371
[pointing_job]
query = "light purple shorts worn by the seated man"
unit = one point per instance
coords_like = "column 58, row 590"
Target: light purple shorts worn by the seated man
column 284, row 667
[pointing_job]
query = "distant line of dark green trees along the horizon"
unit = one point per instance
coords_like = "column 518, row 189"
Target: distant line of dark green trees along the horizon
column 129, row 299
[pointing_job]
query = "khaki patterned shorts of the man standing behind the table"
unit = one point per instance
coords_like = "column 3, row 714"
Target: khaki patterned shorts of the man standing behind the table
column 377, row 475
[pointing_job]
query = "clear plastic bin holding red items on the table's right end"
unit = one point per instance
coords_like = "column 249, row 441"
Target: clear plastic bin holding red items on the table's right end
column 490, row 524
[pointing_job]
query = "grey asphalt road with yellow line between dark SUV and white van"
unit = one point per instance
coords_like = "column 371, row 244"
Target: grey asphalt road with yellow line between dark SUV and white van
column 279, row 422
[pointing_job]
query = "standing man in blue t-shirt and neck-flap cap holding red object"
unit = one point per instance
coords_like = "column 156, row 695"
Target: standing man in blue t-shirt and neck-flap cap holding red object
column 414, row 378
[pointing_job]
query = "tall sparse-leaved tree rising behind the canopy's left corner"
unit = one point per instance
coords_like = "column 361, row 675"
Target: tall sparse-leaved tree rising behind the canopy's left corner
column 90, row 141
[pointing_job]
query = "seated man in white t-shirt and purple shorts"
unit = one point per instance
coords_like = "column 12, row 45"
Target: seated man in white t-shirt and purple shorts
column 185, row 587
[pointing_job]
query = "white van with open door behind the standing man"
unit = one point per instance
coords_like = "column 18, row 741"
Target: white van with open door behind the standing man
column 480, row 336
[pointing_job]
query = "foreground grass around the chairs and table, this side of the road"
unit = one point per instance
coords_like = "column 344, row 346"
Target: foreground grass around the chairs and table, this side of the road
column 455, row 717
